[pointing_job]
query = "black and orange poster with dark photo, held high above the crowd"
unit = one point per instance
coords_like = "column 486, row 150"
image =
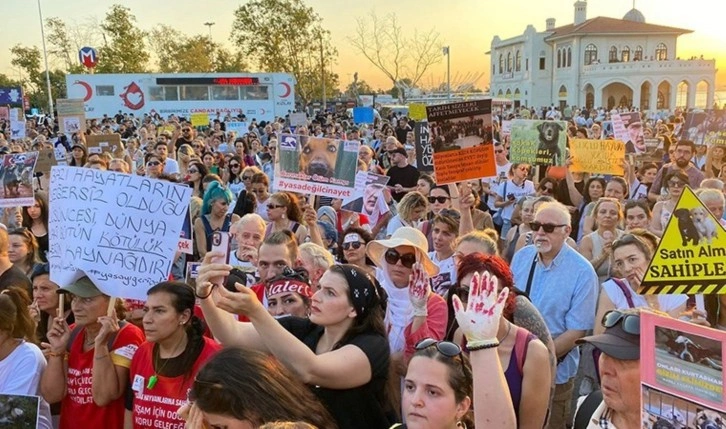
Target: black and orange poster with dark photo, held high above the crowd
column 461, row 138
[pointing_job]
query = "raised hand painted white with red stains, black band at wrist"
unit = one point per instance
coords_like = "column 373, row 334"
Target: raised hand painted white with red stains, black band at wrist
column 480, row 320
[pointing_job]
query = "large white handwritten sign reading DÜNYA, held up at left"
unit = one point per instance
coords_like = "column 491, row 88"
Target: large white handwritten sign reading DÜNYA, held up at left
column 120, row 230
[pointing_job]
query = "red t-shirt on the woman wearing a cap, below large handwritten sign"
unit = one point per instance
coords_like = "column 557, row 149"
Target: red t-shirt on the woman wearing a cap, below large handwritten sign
column 78, row 410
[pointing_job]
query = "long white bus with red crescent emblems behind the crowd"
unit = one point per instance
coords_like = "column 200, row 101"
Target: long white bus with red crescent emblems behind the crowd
column 261, row 96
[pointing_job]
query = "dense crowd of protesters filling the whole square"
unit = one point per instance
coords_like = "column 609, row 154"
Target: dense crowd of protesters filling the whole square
column 474, row 304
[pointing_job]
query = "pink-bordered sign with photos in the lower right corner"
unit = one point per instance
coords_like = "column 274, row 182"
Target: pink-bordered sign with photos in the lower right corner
column 681, row 371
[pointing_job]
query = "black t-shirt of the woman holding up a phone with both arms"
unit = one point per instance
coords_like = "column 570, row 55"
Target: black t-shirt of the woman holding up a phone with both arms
column 361, row 407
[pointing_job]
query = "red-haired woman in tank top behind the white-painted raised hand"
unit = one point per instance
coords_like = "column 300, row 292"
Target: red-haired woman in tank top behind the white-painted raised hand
column 525, row 358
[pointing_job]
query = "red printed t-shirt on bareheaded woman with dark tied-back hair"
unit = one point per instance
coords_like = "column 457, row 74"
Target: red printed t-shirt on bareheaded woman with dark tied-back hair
column 157, row 407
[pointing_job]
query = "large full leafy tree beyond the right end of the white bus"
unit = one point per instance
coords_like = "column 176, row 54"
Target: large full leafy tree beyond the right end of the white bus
column 286, row 36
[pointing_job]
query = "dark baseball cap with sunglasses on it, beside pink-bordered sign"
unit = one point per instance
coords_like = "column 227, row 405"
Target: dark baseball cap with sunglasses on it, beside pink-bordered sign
column 619, row 339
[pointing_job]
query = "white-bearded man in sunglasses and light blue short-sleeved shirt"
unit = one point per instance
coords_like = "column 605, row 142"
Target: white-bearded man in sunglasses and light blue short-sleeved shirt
column 563, row 286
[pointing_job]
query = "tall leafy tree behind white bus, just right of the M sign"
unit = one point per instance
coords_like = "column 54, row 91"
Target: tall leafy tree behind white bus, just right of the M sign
column 124, row 49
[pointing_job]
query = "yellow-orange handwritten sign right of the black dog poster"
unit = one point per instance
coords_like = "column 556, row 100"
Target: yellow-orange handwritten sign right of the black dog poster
column 597, row 156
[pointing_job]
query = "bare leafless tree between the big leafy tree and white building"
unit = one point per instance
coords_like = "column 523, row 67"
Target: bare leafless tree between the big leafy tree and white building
column 383, row 42
